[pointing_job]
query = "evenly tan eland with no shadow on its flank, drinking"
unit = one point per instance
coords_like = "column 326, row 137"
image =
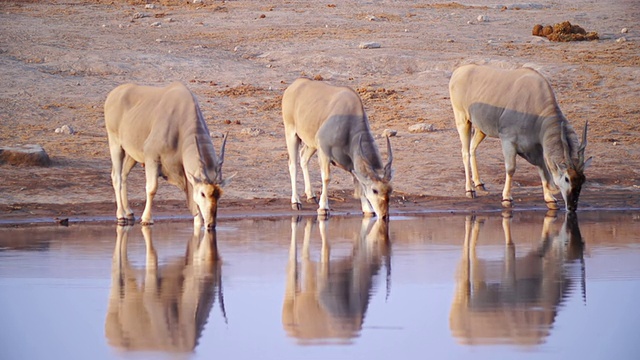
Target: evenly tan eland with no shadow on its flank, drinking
column 163, row 129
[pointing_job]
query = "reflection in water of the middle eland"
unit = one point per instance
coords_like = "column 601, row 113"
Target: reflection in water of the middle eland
column 331, row 298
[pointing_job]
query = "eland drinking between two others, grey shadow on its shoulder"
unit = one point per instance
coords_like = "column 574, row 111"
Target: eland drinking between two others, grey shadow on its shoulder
column 331, row 120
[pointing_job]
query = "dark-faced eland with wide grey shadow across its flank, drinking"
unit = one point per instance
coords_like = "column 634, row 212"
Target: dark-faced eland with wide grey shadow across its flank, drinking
column 518, row 107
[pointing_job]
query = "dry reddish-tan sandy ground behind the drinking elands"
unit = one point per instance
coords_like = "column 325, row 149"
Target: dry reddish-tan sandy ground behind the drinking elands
column 60, row 59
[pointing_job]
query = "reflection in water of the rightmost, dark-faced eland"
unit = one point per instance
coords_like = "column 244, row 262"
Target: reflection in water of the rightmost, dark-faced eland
column 515, row 300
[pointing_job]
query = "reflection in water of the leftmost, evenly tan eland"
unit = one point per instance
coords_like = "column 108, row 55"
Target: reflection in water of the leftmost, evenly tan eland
column 169, row 309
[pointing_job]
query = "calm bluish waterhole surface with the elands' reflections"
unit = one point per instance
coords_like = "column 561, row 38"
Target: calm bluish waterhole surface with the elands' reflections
column 444, row 287
